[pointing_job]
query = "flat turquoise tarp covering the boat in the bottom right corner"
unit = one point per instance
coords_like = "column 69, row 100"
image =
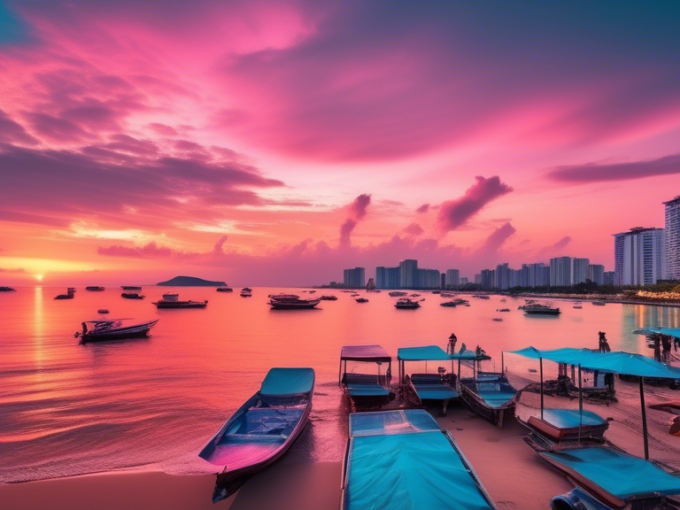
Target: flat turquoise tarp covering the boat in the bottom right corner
column 620, row 474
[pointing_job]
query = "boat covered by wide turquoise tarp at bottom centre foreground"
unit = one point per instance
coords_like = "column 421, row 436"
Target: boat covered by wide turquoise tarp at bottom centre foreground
column 403, row 459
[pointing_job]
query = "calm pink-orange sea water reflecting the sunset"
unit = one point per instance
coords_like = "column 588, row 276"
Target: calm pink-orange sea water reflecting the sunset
column 68, row 409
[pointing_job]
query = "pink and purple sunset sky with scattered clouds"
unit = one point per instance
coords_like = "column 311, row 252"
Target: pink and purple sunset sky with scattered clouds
column 278, row 142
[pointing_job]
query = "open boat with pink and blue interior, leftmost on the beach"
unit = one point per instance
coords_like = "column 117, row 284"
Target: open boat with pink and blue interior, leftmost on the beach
column 262, row 430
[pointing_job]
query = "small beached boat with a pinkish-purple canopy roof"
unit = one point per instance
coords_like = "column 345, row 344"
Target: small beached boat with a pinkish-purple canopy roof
column 366, row 391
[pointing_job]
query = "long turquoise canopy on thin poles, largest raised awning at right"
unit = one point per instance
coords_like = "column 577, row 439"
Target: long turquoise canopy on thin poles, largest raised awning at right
column 617, row 362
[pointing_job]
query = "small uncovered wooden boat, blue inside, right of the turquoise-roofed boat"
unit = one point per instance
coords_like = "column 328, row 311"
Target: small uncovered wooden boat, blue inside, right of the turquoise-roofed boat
column 490, row 395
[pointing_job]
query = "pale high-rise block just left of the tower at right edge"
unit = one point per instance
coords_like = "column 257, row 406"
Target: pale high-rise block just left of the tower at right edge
column 639, row 256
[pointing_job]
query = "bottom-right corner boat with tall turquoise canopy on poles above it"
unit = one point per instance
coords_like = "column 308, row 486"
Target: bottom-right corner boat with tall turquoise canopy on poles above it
column 608, row 474
